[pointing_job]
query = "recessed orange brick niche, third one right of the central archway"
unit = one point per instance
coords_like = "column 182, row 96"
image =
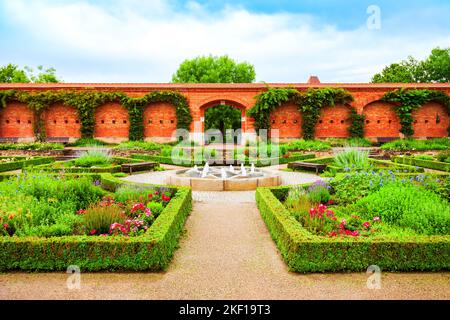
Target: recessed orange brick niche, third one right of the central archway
column 381, row 120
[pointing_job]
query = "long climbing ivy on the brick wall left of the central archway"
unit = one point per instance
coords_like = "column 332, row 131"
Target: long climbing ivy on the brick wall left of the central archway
column 85, row 102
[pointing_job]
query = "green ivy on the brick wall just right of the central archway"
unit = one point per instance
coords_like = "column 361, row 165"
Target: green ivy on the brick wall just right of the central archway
column 309, row 104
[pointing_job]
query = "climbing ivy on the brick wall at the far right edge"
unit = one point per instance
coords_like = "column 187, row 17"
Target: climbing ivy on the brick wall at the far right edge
column 409, row 100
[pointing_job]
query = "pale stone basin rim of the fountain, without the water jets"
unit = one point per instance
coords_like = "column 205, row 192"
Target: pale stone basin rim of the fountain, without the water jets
column 269, row 179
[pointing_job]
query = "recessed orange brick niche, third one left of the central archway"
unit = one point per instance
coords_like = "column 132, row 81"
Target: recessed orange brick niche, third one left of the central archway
column 61, row 121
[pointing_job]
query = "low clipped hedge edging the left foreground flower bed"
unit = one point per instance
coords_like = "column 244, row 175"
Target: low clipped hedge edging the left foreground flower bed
column 152, row 251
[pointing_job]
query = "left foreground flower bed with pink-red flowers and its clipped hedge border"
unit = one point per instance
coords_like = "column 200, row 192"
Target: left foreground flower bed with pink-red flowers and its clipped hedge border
column 51, row 225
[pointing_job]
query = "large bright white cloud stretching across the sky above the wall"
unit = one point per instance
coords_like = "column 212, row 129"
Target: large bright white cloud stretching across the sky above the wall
column 145, row 41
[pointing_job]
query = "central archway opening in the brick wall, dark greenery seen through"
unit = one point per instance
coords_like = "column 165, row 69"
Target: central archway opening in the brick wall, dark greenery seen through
column 223, row 120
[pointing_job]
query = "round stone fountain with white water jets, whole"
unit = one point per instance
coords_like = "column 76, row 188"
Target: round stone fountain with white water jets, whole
column 221, row 178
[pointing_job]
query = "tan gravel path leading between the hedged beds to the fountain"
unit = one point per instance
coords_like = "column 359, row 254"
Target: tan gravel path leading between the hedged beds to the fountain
column 226, row 253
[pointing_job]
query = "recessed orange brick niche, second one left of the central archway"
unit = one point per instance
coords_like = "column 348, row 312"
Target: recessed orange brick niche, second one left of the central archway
column 112, row 122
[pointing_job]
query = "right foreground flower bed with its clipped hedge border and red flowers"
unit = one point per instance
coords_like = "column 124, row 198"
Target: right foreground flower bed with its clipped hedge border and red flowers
column 360, row 220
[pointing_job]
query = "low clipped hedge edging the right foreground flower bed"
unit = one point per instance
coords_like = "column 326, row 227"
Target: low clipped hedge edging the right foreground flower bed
column 305, row 252
